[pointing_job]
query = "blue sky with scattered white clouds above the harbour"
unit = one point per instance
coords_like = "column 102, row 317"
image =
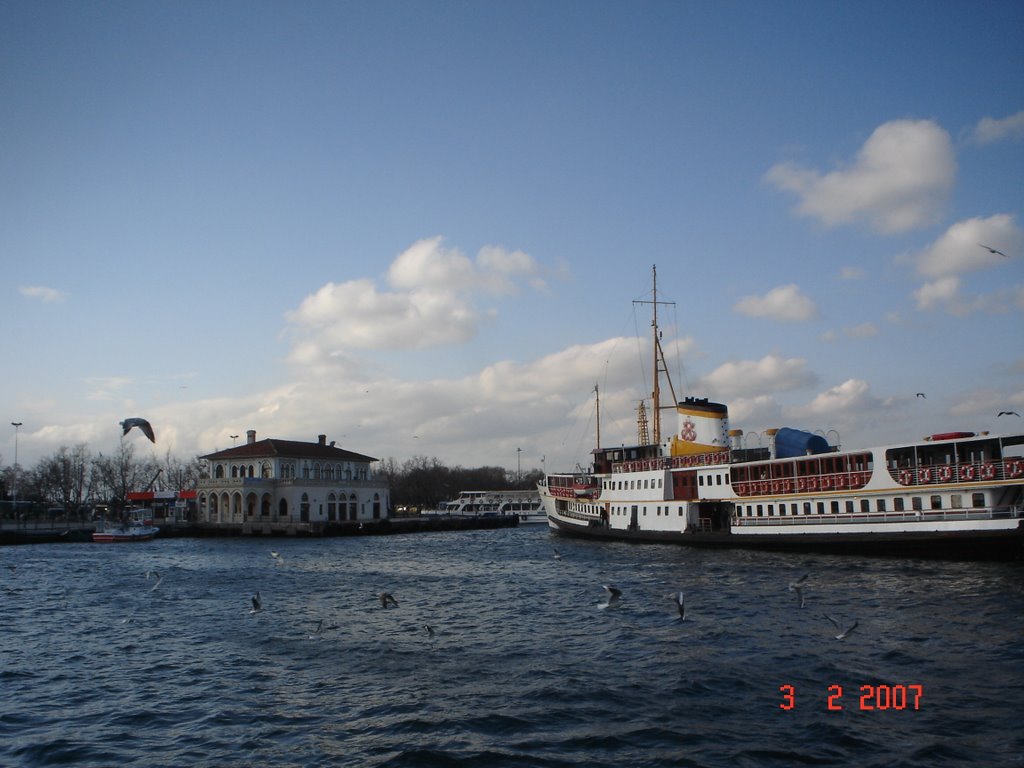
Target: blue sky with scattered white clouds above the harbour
column 421, row 228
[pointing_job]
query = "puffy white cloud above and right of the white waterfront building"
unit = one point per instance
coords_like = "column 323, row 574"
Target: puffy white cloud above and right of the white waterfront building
column 436, row 301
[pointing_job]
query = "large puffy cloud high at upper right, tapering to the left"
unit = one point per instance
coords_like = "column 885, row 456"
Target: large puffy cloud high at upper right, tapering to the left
column 899, row 182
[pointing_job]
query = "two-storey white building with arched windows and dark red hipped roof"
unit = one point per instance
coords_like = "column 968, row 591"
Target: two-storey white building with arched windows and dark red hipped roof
column 274, row 483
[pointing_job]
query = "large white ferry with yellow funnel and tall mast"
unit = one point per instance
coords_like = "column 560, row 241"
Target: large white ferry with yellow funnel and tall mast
column 952, row 494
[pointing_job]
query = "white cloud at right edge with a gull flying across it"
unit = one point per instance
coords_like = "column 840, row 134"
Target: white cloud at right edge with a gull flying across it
column 963, row 247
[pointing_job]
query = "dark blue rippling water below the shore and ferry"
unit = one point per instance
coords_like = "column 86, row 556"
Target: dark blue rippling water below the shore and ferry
column 524, row 668
